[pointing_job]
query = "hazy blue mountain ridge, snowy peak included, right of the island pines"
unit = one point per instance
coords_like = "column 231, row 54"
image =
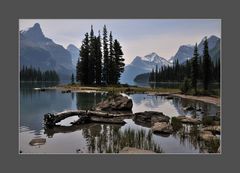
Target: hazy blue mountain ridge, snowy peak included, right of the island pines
column 144, row 65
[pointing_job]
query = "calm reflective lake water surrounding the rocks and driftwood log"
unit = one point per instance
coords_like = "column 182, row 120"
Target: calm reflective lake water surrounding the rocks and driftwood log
column 102, row 138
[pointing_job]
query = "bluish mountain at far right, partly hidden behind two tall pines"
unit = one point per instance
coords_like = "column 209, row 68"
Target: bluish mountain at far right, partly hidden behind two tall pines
column 186, row 51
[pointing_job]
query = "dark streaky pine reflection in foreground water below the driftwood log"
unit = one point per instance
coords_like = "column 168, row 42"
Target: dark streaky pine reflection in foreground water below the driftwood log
column 111, row 139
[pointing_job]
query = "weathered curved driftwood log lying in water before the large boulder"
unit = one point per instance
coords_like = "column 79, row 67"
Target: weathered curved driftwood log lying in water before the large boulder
column 85, row 116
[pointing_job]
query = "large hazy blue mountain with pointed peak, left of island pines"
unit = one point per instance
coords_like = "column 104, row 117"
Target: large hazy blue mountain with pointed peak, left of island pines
column 38, row 51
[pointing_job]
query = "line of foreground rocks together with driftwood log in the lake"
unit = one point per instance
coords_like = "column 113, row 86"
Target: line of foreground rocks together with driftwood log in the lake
column 117, row 108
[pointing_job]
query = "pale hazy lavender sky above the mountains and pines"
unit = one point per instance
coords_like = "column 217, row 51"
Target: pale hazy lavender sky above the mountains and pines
column 138, row 37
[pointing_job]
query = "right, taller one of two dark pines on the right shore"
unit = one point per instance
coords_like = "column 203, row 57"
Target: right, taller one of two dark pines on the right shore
column 206, row 66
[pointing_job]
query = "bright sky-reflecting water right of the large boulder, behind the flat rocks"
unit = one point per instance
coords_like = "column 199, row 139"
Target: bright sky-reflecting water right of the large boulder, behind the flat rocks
column 172, row 107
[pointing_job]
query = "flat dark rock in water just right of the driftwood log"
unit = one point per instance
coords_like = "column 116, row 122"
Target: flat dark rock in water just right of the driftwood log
column 149, row 118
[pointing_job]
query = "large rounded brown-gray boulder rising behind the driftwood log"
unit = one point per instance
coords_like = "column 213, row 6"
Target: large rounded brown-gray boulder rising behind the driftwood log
column 115, row 103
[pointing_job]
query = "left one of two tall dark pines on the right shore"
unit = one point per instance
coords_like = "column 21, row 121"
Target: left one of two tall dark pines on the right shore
column 194, row 69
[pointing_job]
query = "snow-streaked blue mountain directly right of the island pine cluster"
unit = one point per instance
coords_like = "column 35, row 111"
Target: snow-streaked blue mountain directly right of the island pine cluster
column 142, row 65
